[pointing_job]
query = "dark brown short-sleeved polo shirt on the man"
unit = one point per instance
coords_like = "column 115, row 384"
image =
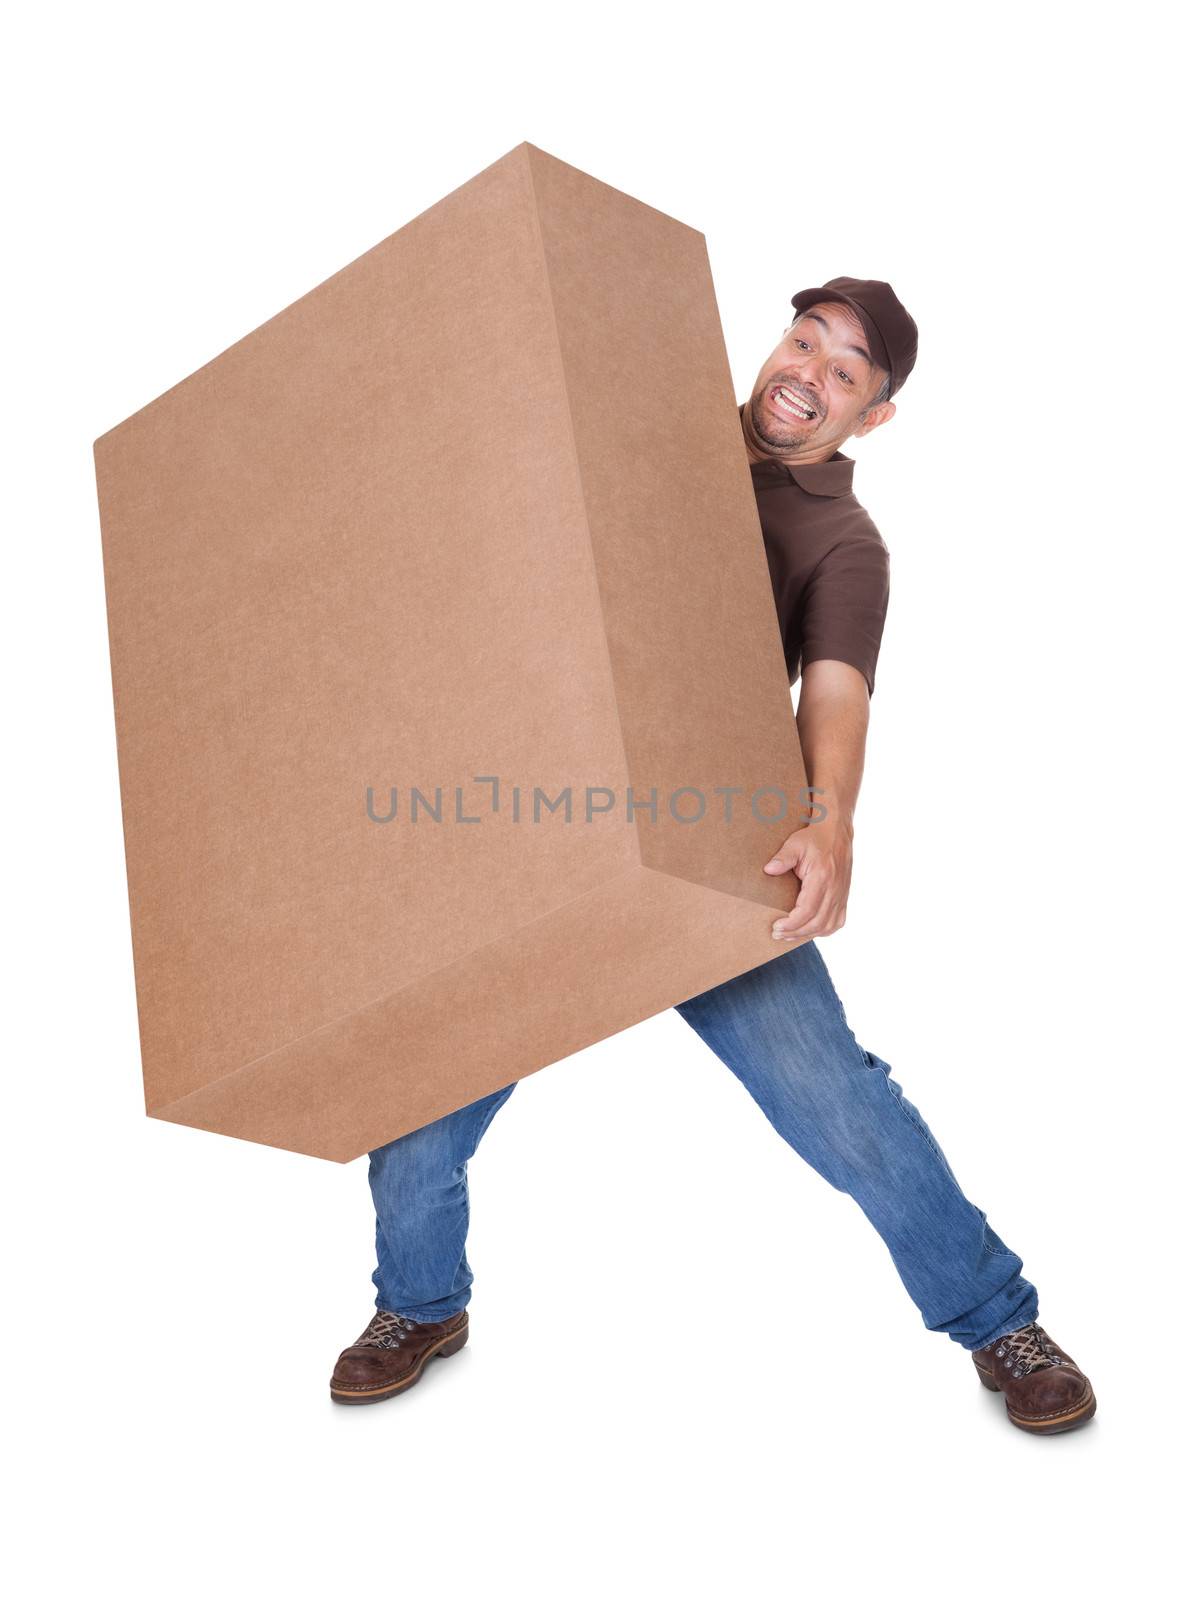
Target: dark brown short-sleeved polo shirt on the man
column 828, row 562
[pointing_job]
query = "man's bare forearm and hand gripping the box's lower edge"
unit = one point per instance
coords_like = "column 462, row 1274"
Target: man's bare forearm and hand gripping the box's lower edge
column 832, row 730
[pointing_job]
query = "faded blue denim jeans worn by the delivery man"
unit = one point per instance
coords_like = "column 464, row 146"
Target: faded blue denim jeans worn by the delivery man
column 783, row 1031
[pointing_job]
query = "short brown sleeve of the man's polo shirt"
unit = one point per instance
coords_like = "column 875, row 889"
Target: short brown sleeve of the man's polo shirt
column 845, row 604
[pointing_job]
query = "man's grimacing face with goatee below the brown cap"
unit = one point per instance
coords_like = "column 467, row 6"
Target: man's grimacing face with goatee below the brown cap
column 816, row 390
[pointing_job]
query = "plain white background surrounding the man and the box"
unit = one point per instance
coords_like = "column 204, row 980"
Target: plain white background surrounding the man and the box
column 693, row 1369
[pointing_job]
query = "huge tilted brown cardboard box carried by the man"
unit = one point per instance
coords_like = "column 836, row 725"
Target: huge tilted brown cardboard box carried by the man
column 476, row 506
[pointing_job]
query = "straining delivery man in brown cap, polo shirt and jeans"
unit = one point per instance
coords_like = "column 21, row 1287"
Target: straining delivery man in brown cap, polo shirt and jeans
column 781, row 1026
